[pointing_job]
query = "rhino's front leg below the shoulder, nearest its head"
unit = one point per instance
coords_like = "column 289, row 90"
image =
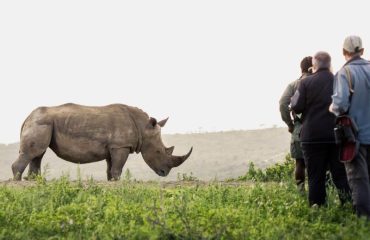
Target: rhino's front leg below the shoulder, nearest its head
column 118, row 159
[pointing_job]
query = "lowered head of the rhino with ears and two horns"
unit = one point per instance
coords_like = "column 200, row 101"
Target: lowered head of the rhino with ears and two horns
column 155, row 153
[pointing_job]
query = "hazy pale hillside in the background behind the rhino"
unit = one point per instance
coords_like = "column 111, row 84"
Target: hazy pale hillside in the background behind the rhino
column 216, row 156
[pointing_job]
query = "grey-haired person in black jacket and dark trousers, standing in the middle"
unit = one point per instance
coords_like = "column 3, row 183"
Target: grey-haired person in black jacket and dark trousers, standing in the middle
column 320, row 152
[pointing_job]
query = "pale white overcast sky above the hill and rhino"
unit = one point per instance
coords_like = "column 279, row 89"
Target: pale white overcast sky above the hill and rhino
column 208, row 65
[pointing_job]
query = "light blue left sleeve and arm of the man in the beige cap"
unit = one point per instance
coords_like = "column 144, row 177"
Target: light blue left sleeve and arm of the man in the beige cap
column 341, row 94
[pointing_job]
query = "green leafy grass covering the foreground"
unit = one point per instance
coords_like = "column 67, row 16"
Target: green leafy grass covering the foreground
column 257, row 209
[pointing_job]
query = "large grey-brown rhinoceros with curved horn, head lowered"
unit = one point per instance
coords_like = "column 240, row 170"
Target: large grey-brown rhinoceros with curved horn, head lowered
column 84, row 134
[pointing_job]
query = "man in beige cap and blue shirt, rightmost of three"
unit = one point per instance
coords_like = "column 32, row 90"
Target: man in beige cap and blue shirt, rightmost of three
column 355, row 103
